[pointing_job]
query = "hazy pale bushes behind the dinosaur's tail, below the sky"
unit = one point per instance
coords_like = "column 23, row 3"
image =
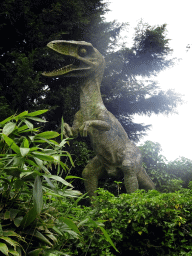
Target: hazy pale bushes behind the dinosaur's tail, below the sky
column 167, row 176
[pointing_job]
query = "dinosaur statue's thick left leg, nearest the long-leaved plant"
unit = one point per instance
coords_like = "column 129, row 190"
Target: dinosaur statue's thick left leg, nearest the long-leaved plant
column 91, row 174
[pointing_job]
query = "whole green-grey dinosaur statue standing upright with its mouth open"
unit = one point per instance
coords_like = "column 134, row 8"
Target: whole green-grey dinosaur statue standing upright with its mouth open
column 115, row 152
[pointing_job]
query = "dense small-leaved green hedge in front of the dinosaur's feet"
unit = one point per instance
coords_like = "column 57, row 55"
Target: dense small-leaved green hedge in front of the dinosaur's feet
column 142, row 223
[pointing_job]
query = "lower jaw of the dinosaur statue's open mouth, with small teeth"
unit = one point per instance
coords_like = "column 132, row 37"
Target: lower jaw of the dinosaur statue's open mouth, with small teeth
column 73, row 65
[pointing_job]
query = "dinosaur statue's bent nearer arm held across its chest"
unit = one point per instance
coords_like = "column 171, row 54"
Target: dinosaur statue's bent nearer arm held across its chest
column 98, row 124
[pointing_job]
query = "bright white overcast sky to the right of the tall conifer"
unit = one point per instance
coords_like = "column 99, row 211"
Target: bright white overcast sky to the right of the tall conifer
column 174, row 132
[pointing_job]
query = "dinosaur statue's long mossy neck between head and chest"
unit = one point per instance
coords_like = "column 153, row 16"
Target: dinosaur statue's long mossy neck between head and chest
column 90, row 95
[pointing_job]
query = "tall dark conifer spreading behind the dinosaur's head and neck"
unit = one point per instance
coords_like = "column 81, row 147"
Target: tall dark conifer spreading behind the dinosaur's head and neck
column 27, row 26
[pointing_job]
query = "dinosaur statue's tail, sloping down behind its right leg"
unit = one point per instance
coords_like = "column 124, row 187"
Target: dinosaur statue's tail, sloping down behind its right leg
column 144, row 181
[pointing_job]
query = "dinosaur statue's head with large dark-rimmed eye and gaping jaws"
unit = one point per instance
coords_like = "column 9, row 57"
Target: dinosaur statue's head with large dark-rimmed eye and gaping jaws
column 84, row 58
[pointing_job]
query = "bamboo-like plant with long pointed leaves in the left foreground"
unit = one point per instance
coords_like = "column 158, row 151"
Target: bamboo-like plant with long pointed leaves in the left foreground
column 38, row 210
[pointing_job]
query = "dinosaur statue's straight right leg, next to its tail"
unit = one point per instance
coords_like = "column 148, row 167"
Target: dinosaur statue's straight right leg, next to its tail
column 130, row 177
